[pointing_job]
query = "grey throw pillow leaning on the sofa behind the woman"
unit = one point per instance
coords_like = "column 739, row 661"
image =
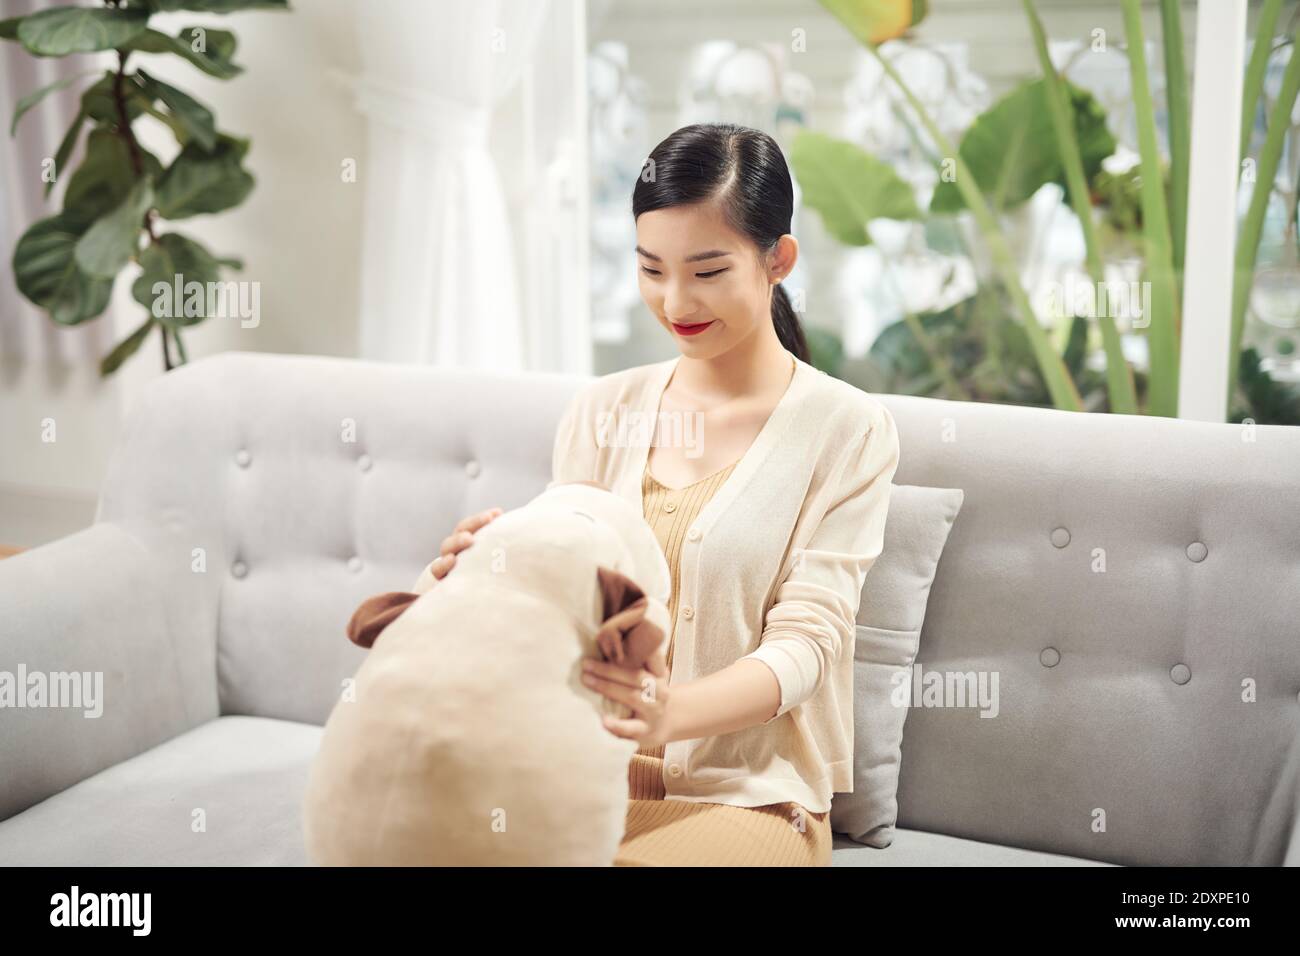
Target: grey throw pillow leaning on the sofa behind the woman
column 889, row 637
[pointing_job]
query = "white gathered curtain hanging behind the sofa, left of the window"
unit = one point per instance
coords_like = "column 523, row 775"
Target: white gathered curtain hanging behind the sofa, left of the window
column 439, row 280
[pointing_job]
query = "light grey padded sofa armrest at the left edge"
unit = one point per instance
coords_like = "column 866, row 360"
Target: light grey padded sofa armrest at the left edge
column 107, row 648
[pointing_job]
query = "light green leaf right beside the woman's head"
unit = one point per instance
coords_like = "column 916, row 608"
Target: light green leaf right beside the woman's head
column 850, row 187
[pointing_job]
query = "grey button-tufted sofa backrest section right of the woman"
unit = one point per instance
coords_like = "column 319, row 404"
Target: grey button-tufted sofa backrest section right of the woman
column 1134, row 585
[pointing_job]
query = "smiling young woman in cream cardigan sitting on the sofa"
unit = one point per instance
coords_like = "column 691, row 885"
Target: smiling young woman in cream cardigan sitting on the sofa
column 768, row 485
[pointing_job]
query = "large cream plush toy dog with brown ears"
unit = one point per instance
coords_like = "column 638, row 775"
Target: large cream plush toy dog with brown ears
column 469, row 737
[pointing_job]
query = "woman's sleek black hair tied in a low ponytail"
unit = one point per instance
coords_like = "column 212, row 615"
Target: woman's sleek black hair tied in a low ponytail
column 744, row 172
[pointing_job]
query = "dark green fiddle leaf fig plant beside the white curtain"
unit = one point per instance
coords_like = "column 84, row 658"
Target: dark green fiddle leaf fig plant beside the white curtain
column 122, row 201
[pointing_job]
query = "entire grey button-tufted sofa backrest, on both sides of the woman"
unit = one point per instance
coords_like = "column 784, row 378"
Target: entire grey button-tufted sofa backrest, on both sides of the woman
column 1133, row 582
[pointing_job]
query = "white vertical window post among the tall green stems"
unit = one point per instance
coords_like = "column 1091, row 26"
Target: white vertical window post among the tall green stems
column 1212, row 210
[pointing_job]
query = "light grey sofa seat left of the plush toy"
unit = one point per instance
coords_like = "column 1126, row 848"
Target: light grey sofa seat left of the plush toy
column 246, row 775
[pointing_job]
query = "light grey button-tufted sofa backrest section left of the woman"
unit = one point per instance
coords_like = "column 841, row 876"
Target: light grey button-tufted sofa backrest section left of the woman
column 310, row 483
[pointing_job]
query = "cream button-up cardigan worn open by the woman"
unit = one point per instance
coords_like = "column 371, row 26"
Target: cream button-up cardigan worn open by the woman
column 773, row 570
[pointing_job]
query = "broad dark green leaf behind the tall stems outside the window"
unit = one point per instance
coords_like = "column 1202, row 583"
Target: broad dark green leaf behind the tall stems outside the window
column 1012, row 149
